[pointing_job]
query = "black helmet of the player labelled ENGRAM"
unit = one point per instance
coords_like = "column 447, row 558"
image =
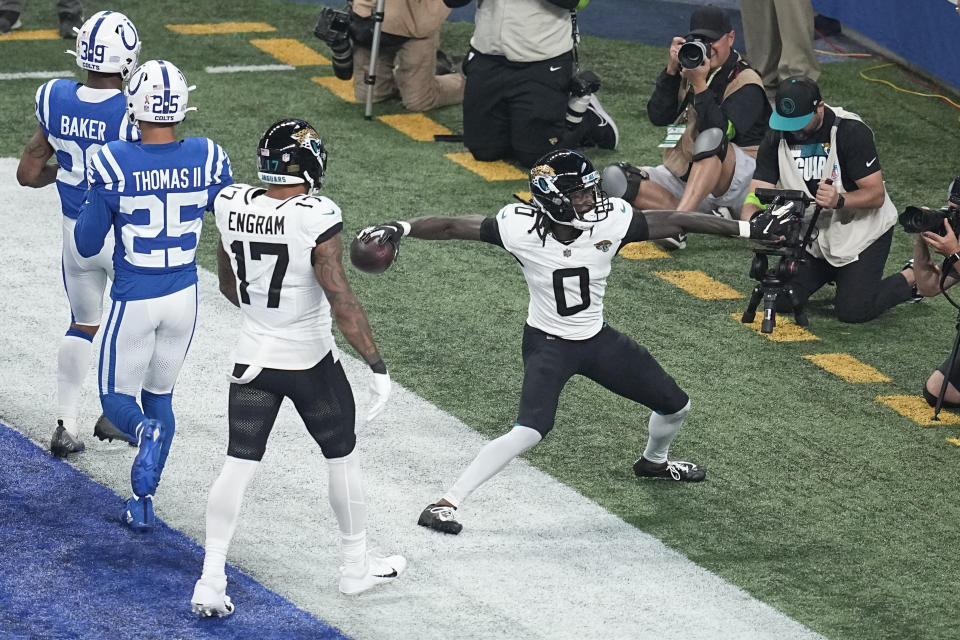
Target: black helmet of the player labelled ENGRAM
column 292, row 152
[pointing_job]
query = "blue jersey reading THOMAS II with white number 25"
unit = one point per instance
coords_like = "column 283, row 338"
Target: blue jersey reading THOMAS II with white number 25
column 154, row 197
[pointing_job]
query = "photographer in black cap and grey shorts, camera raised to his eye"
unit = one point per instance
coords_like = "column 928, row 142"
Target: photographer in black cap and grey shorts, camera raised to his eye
column 715, row 110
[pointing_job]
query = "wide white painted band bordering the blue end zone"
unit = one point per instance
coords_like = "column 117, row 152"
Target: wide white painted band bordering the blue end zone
column 536, row 560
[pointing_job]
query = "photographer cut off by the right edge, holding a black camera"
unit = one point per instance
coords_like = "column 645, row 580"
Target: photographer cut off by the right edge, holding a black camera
column 937, row 230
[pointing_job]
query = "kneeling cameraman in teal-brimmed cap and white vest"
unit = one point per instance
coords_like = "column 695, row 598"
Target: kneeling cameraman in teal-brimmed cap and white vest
column 830, row 155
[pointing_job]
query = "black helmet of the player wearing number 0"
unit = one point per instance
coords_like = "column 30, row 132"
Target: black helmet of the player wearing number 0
column 558, row 175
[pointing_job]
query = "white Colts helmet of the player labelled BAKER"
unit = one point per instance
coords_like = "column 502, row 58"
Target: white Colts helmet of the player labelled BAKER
column 109, row 43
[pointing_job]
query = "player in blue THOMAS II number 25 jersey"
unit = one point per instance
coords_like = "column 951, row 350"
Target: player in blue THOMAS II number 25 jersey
column 153, row 195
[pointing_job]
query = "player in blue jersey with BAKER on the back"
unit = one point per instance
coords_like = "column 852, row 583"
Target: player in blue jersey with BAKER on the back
column 75, row 121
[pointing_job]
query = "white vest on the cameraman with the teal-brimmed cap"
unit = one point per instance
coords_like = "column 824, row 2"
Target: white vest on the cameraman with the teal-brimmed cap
column 842, row 234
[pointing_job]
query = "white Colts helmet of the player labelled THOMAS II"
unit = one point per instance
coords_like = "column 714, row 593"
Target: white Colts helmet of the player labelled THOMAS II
column 157, row 92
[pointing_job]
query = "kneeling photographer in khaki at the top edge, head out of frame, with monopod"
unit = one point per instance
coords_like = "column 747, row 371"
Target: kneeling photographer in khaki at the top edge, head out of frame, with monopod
column 407, row 62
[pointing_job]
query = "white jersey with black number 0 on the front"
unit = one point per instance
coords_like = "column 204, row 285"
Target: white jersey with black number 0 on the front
column 566, row 281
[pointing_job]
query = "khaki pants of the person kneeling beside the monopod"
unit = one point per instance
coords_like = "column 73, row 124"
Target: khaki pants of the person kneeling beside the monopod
column 410, row 72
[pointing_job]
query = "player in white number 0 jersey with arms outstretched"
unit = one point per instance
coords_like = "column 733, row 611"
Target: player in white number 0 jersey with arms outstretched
column 564, row 241
